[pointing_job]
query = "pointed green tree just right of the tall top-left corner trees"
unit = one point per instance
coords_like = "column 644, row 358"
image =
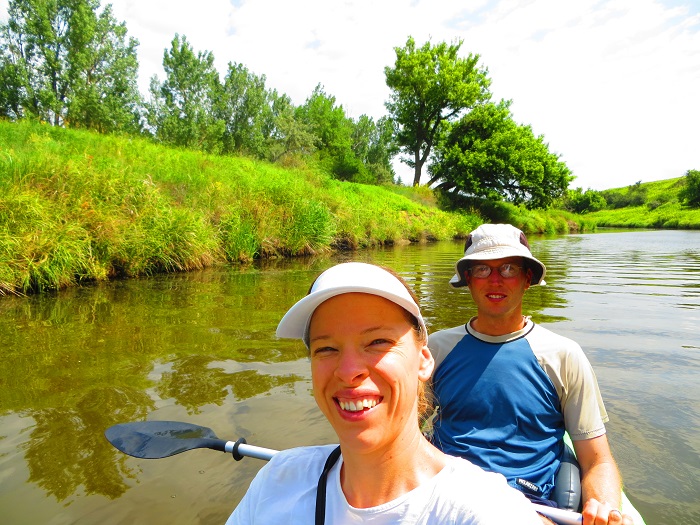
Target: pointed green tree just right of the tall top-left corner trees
column 182, row 108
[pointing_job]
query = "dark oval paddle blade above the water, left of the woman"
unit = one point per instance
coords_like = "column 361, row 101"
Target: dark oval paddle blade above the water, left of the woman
column 161, row 439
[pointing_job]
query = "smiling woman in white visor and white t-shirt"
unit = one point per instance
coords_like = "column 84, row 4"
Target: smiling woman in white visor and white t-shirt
column 369, row 364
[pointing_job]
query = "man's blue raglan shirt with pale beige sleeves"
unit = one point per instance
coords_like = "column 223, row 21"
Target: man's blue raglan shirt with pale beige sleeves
column 505, row 401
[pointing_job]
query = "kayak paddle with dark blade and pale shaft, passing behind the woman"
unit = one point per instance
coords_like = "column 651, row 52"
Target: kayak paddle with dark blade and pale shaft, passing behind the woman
column 161, row 439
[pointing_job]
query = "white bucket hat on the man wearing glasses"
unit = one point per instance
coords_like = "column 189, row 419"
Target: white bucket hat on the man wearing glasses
column 497, row 241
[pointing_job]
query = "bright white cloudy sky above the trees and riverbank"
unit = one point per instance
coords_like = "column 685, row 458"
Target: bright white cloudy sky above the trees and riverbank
column 612, row 85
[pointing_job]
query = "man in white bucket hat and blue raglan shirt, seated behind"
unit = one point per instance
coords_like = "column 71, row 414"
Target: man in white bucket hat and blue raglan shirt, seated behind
column 508, row 389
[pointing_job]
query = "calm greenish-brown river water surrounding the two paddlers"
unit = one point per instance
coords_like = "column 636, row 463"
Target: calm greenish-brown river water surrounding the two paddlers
column 199, row 347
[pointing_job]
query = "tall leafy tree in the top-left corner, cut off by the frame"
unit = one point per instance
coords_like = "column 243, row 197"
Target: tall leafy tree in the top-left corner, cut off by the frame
column 63, row 62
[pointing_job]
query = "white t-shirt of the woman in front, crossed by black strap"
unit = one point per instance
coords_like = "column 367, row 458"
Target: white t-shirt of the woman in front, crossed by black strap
column 284, row 493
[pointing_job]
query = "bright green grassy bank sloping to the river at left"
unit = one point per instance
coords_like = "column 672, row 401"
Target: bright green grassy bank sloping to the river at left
column 79, row 206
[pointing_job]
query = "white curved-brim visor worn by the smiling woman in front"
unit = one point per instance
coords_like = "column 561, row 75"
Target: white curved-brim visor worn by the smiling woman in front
column 340, row 279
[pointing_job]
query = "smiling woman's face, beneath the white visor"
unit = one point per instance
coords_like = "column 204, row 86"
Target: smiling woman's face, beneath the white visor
column 365, row 366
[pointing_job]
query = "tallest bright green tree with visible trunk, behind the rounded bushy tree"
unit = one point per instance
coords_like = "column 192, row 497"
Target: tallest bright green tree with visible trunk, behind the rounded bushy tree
column 430, row 87
